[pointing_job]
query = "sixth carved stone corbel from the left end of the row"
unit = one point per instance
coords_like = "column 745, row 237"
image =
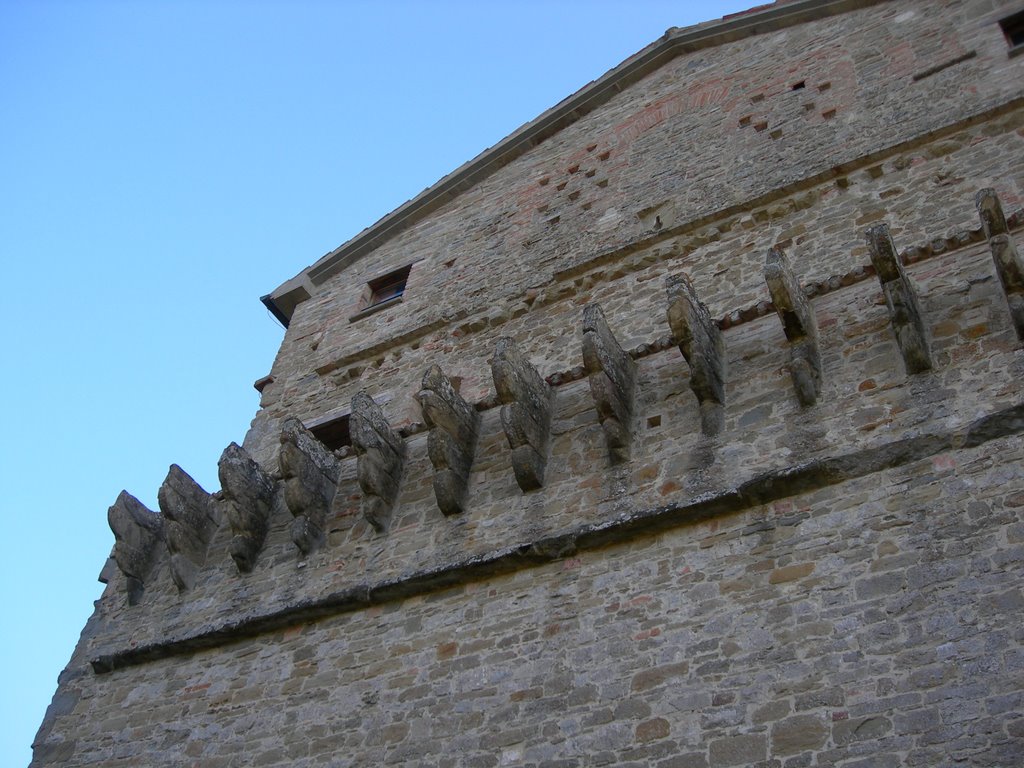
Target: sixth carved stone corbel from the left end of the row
column 452, row 443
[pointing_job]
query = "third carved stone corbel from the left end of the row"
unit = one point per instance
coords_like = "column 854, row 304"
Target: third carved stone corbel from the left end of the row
column 247, row 499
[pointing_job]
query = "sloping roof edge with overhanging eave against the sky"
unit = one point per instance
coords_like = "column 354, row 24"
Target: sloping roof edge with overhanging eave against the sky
column 674, row 44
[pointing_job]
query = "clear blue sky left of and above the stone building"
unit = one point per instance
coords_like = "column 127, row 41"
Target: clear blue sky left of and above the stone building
column 162, row 166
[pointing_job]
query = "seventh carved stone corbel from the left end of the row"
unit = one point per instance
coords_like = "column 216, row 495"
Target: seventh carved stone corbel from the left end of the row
column 526, row 413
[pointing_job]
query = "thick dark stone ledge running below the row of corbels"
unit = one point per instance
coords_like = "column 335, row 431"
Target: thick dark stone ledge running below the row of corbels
column 762, row 489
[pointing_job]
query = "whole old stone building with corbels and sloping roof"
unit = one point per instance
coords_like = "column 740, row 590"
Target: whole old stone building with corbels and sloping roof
column 680, row 429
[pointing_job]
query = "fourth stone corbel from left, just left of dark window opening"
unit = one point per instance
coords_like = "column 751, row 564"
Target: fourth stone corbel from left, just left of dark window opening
column 311, row 476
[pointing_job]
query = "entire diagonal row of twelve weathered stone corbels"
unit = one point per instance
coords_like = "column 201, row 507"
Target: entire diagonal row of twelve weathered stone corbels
column 310, row 474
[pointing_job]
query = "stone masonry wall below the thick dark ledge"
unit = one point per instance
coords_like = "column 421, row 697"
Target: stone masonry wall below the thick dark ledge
column 869, row 624
